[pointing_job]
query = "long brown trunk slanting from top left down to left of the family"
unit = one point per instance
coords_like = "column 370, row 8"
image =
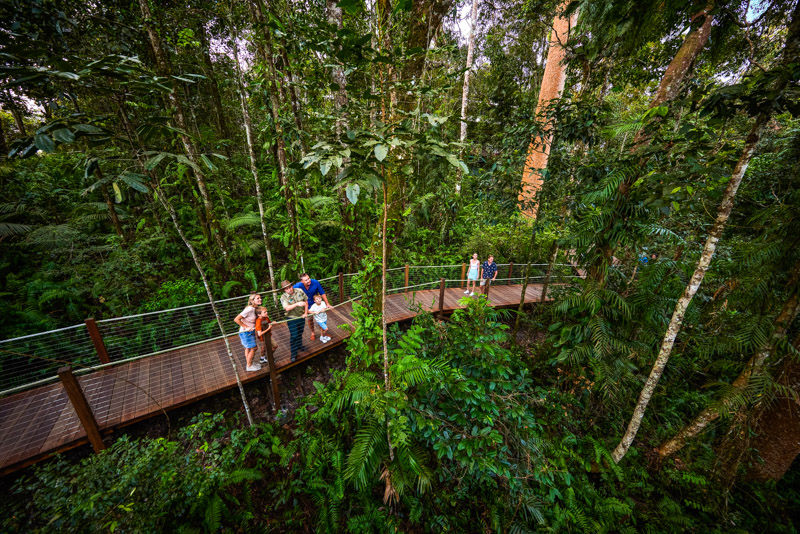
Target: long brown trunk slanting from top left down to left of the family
column 164, row 69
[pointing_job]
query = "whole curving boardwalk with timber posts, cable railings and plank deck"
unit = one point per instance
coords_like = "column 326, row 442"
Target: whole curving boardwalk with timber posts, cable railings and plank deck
column 125, row 369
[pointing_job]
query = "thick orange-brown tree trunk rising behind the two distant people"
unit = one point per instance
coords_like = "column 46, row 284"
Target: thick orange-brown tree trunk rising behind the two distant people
column 555, row 76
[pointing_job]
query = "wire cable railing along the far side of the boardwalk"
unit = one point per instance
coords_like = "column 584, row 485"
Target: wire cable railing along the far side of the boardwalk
column 33, row 360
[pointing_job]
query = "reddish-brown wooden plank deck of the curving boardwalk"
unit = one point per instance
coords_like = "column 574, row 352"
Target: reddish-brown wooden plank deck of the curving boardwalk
column 40, row 422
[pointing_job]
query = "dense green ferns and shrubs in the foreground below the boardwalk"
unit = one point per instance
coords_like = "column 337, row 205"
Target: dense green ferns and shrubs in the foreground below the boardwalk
column 486, row 437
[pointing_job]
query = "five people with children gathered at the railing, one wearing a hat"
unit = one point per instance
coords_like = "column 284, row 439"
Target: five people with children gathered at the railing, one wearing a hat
column 254, row 321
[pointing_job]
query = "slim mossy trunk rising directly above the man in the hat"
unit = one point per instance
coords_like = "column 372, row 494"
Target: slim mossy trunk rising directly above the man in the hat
column 266, row 52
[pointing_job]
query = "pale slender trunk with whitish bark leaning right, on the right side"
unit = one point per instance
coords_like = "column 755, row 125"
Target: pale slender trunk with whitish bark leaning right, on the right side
column 694, row 284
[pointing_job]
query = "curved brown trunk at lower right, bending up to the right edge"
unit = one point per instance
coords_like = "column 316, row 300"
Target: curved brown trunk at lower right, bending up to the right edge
column 755, row 364
